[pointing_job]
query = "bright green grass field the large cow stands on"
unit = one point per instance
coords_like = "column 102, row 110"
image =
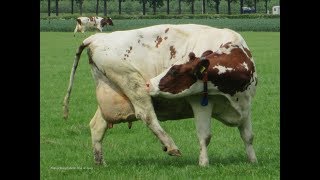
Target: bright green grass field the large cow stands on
column 65, row 146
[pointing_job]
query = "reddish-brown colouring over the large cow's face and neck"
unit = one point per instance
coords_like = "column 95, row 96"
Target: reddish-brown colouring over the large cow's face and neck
column 181, row 77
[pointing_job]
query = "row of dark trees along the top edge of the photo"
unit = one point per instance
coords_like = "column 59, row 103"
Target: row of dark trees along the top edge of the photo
column 154, row 4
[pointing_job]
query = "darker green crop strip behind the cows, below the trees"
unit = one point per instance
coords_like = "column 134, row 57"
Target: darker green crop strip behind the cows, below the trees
column 256, row 24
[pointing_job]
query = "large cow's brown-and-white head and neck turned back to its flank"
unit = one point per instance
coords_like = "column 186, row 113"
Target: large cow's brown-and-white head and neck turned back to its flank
column 230, row 69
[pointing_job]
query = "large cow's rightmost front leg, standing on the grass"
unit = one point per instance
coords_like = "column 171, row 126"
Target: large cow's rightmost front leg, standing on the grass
column 247, row 136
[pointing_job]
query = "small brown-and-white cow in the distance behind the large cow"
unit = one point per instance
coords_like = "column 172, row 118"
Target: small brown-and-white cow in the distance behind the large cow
column 93, row 21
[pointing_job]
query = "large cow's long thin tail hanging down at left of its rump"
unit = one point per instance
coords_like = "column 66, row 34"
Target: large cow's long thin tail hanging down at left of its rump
column 73, row 71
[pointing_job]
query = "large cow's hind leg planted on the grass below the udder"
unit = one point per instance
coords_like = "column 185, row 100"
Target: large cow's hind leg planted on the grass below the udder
column 98, row 128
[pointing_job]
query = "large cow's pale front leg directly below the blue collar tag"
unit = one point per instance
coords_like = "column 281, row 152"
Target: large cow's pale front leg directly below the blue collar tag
column 202, row 115
